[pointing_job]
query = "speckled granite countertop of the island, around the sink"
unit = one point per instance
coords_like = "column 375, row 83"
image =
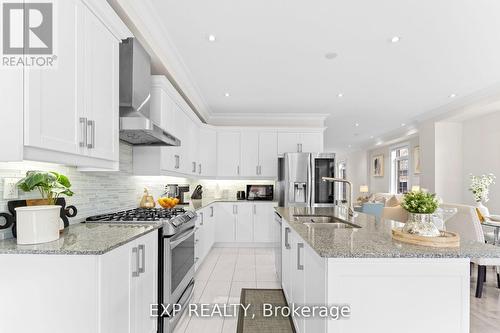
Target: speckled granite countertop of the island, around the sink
column 373, row 239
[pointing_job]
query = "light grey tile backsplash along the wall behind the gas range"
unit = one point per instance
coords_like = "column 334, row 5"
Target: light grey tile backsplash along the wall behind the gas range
column 102, row 192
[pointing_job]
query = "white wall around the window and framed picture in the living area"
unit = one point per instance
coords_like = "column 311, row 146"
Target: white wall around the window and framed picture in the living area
column 383, row 184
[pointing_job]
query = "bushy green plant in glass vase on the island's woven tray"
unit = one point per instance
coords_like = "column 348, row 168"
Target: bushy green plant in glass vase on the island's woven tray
column 421, row 207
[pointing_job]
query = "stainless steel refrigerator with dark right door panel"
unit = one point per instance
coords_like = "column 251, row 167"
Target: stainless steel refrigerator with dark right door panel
column 300, row 180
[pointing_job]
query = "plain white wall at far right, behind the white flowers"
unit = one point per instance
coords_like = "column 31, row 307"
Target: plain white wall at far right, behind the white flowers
column 481, row 155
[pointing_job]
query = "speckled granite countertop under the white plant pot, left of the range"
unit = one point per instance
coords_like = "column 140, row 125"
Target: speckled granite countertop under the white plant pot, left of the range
column 84, row 239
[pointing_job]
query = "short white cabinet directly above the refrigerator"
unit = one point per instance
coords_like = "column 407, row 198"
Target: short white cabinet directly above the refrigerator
column 306, row 142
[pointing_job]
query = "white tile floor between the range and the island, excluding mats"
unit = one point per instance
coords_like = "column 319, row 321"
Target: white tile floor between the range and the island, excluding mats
column 220, row 279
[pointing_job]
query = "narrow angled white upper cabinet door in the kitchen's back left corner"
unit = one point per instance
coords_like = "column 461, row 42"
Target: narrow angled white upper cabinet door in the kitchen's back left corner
column 207, row 153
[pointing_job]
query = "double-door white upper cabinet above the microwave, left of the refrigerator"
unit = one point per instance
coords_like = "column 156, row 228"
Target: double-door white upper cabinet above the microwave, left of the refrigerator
column 259, row 154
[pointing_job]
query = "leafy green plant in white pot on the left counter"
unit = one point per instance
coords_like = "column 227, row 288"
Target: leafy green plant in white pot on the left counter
column 39, row 223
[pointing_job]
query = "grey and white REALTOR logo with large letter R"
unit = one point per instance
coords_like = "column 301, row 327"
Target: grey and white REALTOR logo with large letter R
column 28, row 30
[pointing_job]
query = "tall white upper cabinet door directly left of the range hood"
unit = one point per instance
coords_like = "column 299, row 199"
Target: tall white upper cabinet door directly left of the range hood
column 101, row 86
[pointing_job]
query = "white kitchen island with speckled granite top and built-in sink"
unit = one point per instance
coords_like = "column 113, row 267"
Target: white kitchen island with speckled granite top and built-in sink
column 389, row 286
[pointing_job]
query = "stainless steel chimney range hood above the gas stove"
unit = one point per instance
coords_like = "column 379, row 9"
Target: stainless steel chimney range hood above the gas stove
column 136, row 127
